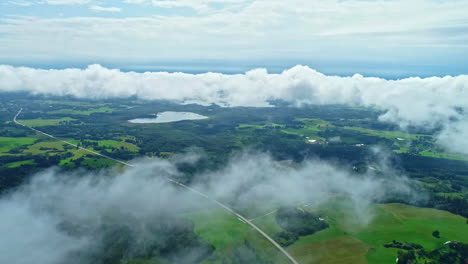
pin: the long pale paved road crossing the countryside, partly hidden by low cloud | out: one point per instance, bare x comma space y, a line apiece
243, 219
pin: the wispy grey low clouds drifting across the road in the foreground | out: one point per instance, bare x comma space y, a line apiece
34, 215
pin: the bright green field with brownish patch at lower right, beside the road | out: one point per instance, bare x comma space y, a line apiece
348, 240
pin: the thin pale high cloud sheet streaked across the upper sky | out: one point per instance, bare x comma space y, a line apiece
394, 30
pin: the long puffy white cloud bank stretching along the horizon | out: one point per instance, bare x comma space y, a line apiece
424, 102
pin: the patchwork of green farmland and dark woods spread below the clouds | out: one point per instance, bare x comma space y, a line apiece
332, 133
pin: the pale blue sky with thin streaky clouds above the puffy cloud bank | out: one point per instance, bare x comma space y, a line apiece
385, 38
